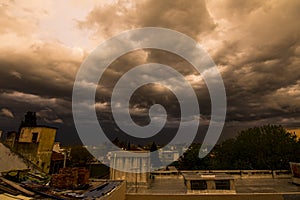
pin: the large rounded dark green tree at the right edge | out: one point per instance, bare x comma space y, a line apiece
267, 147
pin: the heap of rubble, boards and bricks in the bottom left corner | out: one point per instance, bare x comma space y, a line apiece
69, 184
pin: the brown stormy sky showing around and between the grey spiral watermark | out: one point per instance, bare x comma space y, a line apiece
255, 45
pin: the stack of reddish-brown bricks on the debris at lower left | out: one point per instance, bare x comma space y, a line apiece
69, 178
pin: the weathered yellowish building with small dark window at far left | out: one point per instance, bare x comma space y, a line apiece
35, 144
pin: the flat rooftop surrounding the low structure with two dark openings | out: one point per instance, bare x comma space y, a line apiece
174, 184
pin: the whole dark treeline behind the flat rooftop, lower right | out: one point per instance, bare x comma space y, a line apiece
268, 147
